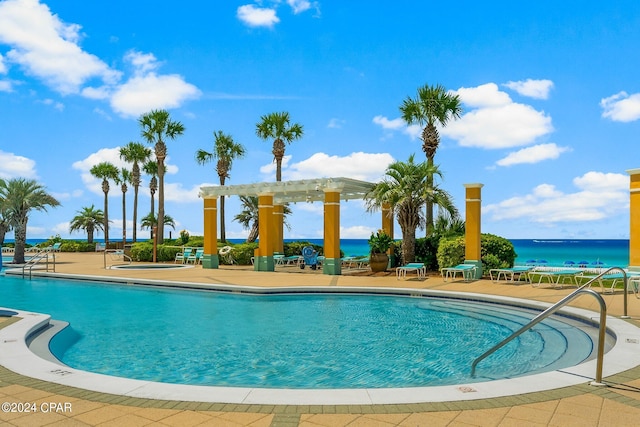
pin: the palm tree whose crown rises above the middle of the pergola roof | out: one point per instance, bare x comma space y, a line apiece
277, 126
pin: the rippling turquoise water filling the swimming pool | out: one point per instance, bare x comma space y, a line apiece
290, 341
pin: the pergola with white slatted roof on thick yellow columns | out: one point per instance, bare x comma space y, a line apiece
271, 199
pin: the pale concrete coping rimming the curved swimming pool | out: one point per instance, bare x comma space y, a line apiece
16, 356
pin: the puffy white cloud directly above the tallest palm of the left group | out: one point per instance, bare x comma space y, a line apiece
147, 90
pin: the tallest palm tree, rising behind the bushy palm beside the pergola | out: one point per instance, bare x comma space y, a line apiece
434, 105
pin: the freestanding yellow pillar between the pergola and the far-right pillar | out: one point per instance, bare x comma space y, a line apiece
473, 204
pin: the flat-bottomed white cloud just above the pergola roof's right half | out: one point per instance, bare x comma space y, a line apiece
362, 166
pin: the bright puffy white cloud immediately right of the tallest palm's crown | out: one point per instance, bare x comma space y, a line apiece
496, 121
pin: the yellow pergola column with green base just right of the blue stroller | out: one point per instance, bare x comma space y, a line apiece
332, 263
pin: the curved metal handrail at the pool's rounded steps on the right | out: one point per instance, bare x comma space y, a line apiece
557, 306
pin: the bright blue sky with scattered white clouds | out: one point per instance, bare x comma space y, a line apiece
550, 92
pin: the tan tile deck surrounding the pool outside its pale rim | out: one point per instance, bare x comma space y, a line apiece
580, 405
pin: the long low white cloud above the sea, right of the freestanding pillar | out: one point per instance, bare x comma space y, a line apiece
598, 196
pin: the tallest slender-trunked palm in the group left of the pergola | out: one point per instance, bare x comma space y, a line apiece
156, 127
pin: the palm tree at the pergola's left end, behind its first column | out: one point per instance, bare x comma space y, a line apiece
225, 150
